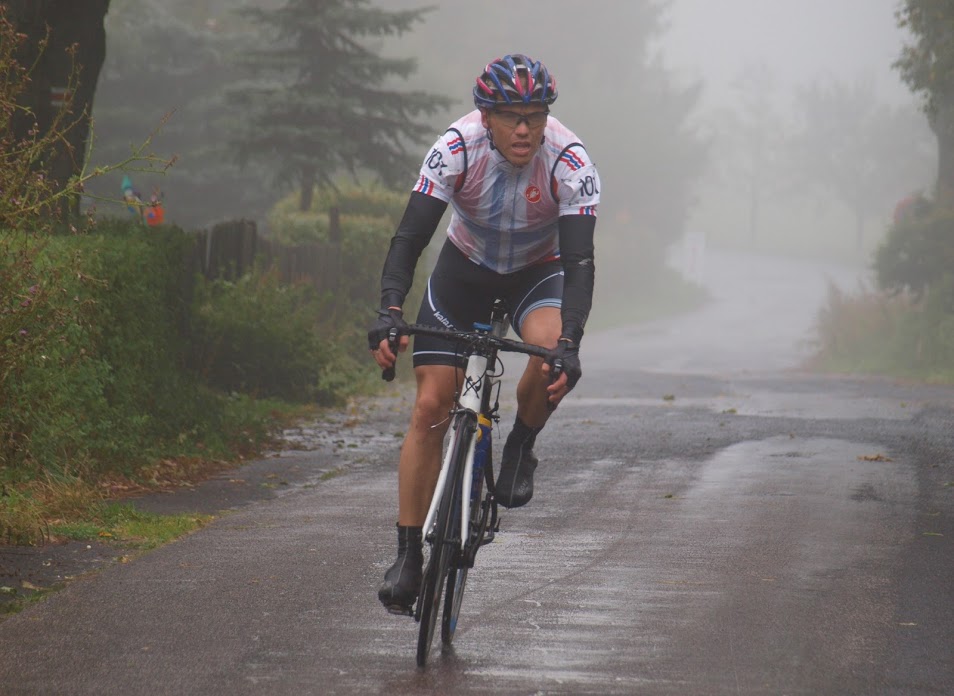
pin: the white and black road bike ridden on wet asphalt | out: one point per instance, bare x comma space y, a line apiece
459, 521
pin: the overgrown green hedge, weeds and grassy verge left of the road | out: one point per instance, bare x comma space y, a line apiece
121, 372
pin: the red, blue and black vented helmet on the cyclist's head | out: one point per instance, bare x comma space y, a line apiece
514, 79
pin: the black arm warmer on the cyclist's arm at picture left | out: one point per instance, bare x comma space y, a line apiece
421, 217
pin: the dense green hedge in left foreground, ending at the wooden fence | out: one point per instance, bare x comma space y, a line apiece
110, 387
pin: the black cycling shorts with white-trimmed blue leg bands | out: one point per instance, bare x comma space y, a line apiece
461, 293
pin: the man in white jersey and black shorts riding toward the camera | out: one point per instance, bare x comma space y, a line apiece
524, 195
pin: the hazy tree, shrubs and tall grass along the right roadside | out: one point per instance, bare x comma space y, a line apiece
905, 326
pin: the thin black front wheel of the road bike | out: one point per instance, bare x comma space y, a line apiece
441, 555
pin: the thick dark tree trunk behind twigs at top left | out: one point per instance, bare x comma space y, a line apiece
66, 23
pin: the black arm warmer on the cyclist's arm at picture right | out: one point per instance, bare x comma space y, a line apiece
579, 272
